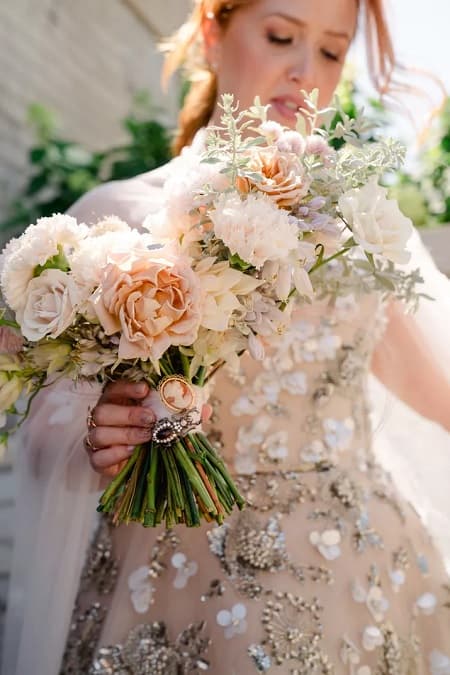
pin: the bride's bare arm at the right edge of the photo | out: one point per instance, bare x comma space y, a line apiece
403, 363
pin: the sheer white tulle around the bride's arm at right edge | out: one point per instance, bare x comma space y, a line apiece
414, 449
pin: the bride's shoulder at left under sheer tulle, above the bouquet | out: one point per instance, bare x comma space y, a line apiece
132, 199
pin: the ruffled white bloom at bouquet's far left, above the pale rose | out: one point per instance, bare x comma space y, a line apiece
34, 247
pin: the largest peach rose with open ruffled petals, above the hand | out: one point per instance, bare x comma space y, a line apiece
153, 302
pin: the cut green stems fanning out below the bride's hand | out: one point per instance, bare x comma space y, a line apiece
182, 482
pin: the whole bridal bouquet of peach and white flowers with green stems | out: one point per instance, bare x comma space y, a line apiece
246, 225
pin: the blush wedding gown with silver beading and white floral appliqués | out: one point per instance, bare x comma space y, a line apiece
327, 570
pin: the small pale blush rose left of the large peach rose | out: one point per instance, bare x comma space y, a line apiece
51, 303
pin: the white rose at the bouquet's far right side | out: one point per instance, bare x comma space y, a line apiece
377, 223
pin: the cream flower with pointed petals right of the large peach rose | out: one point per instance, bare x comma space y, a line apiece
221, 287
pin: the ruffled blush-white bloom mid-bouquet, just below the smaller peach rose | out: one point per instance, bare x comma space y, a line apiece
254, 228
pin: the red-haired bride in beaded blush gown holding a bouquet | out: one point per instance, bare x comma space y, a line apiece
328, 569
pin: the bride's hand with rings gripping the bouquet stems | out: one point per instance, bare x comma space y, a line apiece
118, 423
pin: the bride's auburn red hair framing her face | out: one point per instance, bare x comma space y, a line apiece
185, 50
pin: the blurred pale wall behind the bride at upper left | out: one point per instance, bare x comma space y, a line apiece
82, 59
